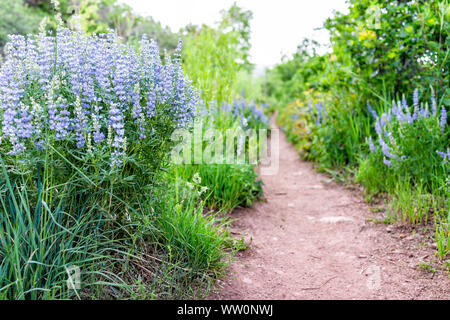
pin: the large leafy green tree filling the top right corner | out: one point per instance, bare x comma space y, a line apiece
398, 45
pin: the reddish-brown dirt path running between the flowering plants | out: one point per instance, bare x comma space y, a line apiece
313, 239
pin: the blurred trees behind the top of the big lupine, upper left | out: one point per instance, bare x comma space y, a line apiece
94, 16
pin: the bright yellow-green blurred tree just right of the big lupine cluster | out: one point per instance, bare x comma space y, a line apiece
214, 56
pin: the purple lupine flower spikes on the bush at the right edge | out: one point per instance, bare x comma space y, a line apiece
402, 113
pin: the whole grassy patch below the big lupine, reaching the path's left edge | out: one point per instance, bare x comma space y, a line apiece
161, 246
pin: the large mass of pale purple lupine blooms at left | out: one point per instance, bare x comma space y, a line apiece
90, 90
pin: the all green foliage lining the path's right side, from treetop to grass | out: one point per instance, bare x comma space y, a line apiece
379, 49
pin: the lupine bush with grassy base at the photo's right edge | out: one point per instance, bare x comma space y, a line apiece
409, 158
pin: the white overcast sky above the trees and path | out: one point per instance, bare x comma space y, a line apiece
278, 26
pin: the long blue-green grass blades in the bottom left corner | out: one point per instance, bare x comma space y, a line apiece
41, 239
